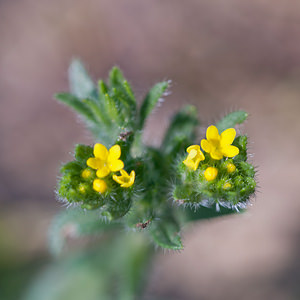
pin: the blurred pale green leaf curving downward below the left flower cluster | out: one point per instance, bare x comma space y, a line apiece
75, 223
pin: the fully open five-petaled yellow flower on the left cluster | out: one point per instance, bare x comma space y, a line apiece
105, 161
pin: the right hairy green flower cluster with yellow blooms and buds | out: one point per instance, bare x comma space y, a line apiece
220, 174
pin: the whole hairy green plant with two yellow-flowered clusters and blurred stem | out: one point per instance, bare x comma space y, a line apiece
133, 196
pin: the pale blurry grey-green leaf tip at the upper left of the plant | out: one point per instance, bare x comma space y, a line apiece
81, 85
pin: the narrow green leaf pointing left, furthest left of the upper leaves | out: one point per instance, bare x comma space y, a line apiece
76, 104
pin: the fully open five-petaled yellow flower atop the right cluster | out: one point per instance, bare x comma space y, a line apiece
219, 145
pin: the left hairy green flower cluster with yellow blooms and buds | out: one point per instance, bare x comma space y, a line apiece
95, 177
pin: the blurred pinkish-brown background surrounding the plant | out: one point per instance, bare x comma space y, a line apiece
220, 56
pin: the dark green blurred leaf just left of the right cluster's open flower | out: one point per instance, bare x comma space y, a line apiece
182, 131
